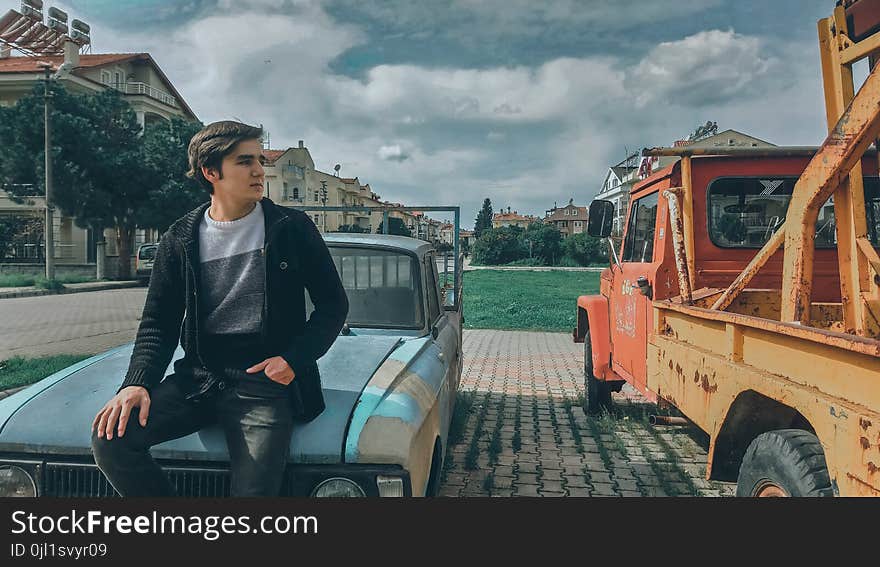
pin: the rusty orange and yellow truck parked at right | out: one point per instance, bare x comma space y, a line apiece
746, 293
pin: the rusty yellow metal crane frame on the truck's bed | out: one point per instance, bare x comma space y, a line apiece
854, 123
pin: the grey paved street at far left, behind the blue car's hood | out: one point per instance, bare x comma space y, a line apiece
82, 323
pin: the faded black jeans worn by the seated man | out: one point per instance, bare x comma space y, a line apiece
257, 432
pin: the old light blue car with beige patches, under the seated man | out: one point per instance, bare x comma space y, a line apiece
390, 383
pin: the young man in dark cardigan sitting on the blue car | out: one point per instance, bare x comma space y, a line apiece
233, 271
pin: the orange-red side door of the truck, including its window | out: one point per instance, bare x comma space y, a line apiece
630, 310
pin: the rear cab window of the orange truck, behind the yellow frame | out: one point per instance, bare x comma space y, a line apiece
745, 211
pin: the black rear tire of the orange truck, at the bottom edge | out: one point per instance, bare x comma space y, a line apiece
785, 462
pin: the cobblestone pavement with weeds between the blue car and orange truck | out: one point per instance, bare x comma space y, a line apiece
526, 435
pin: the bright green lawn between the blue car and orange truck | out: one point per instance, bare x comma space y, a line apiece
524, 300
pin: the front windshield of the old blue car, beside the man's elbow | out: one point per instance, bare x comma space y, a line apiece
382, 286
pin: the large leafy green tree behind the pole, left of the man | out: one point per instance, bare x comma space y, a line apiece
105, 174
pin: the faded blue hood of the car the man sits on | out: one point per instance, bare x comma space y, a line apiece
54, 416
